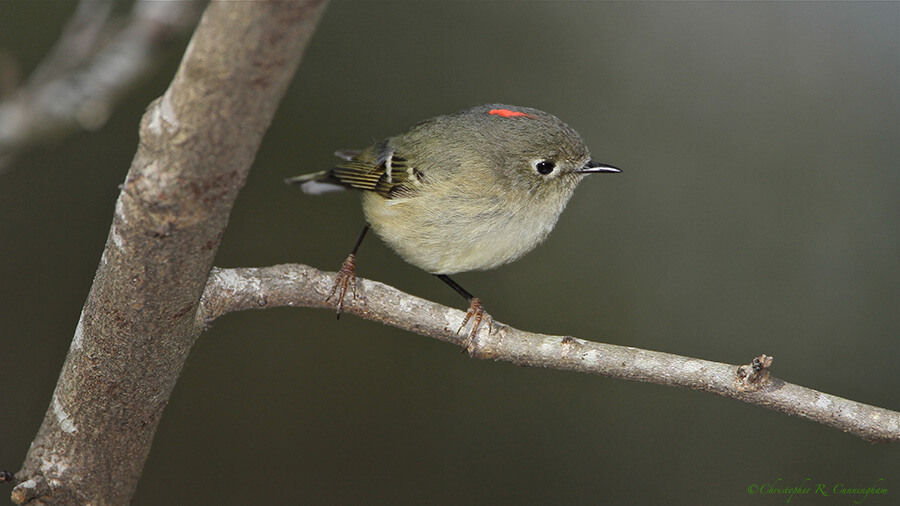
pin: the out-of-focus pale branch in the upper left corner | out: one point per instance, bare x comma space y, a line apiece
97, 60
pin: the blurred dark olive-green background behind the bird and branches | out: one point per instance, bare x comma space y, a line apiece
757, 213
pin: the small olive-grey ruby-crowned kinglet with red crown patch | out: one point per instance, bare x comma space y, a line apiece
462, 192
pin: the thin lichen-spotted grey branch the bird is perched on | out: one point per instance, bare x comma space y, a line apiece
300, 285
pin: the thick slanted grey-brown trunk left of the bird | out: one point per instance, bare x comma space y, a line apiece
138, 324
